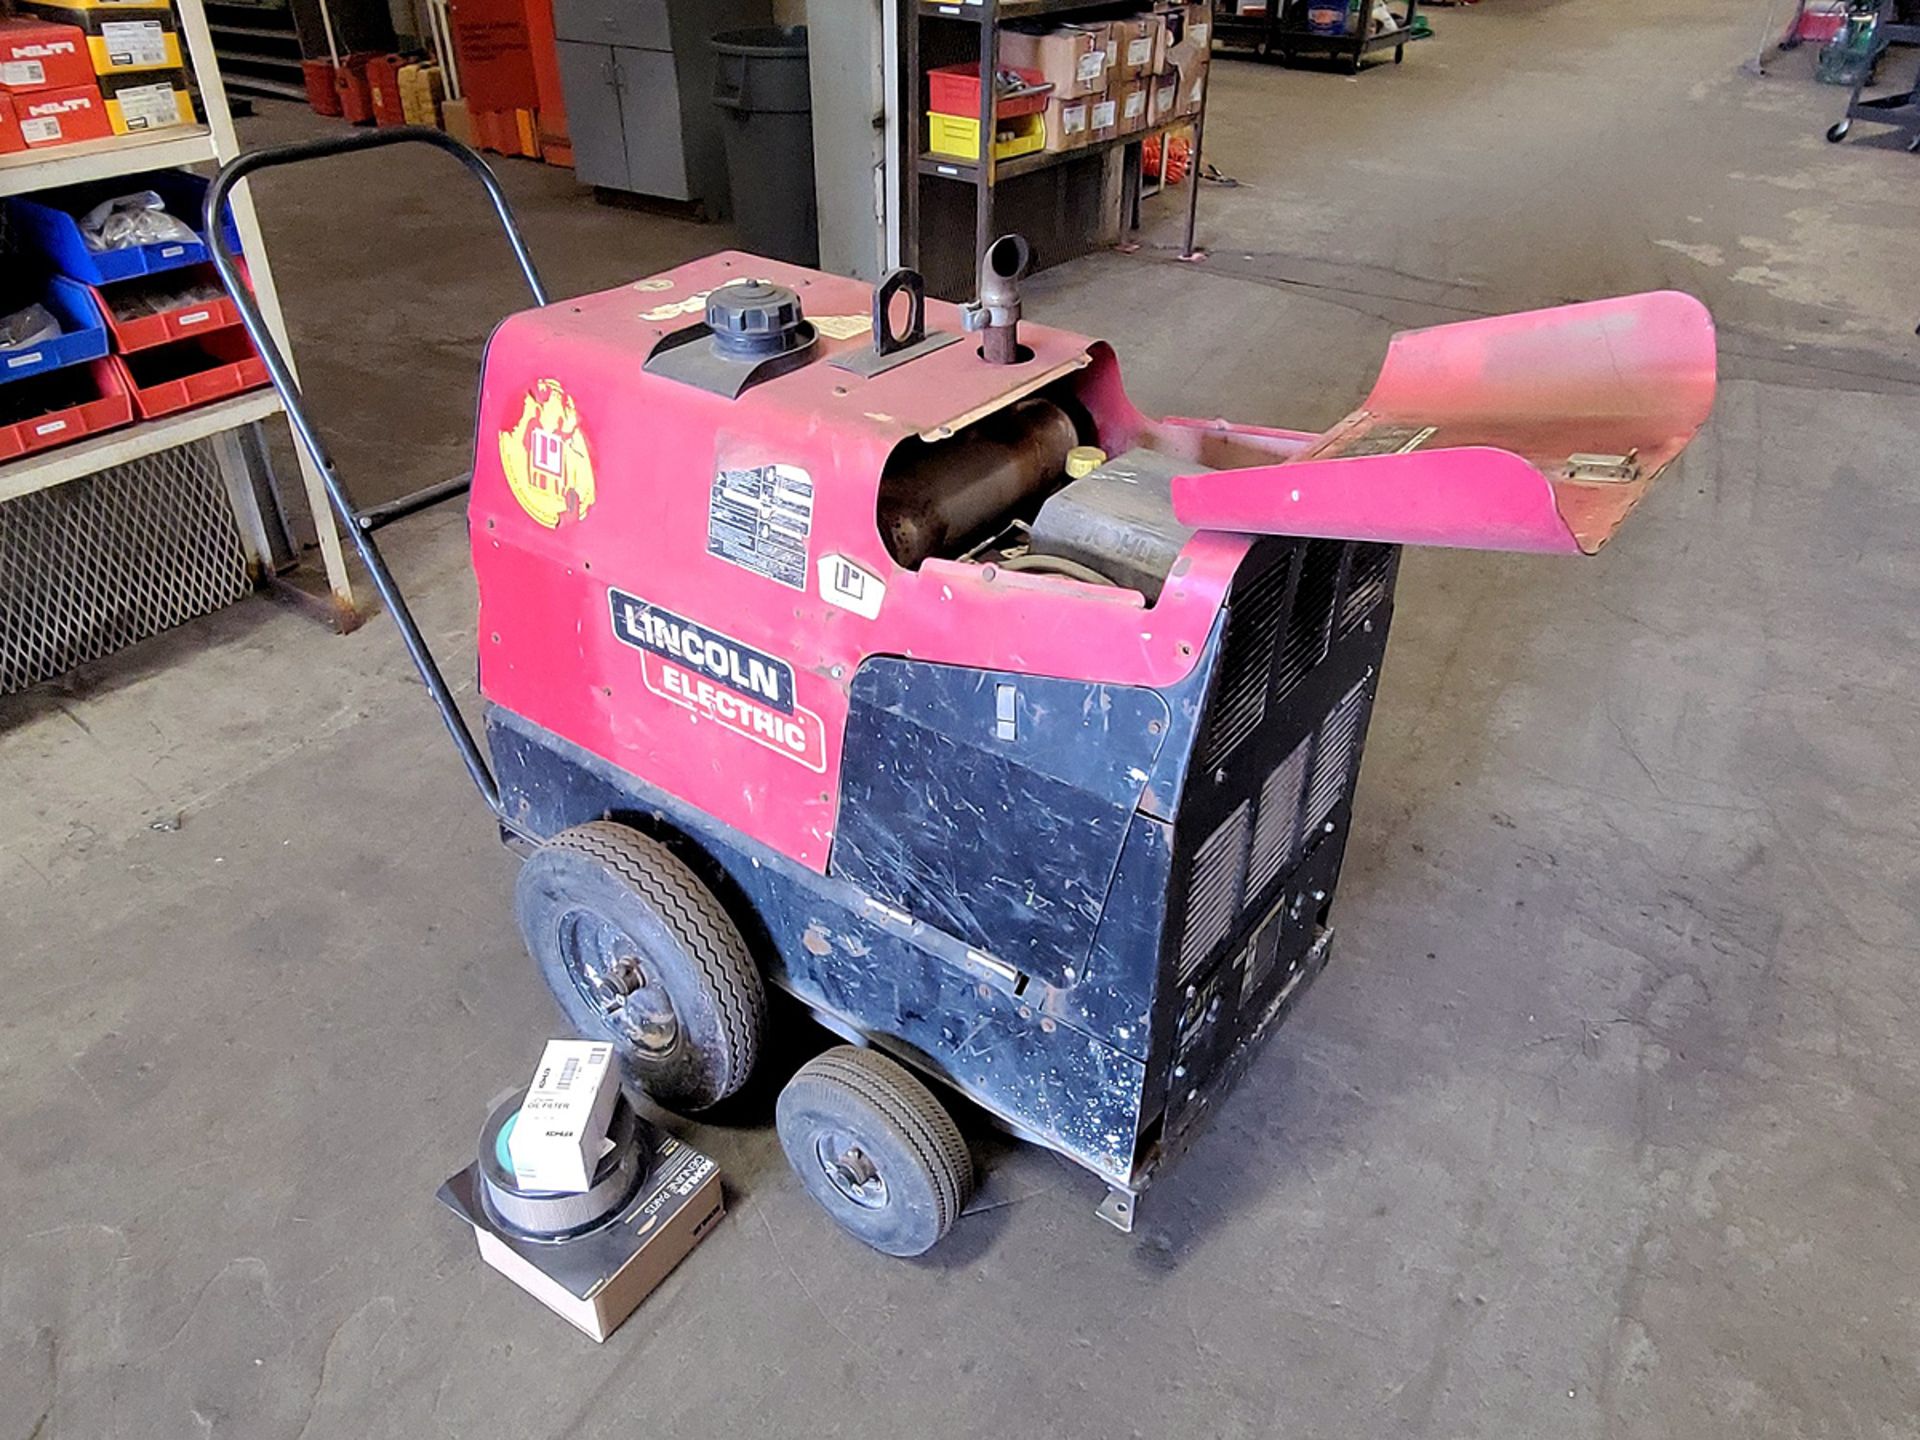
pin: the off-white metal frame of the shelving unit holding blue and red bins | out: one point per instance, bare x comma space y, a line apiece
228, 425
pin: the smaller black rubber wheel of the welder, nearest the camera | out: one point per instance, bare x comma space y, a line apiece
875, 1149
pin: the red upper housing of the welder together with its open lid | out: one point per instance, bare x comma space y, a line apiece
686, 585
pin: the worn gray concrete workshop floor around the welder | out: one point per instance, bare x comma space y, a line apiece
1604, 1122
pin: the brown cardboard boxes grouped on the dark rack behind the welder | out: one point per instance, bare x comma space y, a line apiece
1118, 78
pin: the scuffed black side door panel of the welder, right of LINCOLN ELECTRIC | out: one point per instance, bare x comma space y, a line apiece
994, 805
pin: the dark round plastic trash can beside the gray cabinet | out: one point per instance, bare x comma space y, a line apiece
769, 122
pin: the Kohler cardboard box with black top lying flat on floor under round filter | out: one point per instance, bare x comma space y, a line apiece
598, 1280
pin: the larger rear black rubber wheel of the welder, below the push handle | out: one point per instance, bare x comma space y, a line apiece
642, 953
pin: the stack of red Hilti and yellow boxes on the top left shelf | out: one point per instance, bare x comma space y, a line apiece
120, 66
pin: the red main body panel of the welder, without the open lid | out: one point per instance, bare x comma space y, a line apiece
596, 481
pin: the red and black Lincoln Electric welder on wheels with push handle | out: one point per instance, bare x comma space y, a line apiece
880, 650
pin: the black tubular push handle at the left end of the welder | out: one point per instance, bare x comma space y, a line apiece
297, 410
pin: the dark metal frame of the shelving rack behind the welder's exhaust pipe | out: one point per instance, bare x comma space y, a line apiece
988, 174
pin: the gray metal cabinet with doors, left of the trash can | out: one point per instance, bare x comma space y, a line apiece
638, 82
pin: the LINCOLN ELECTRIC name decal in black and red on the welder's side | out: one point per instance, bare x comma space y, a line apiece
719, 679
